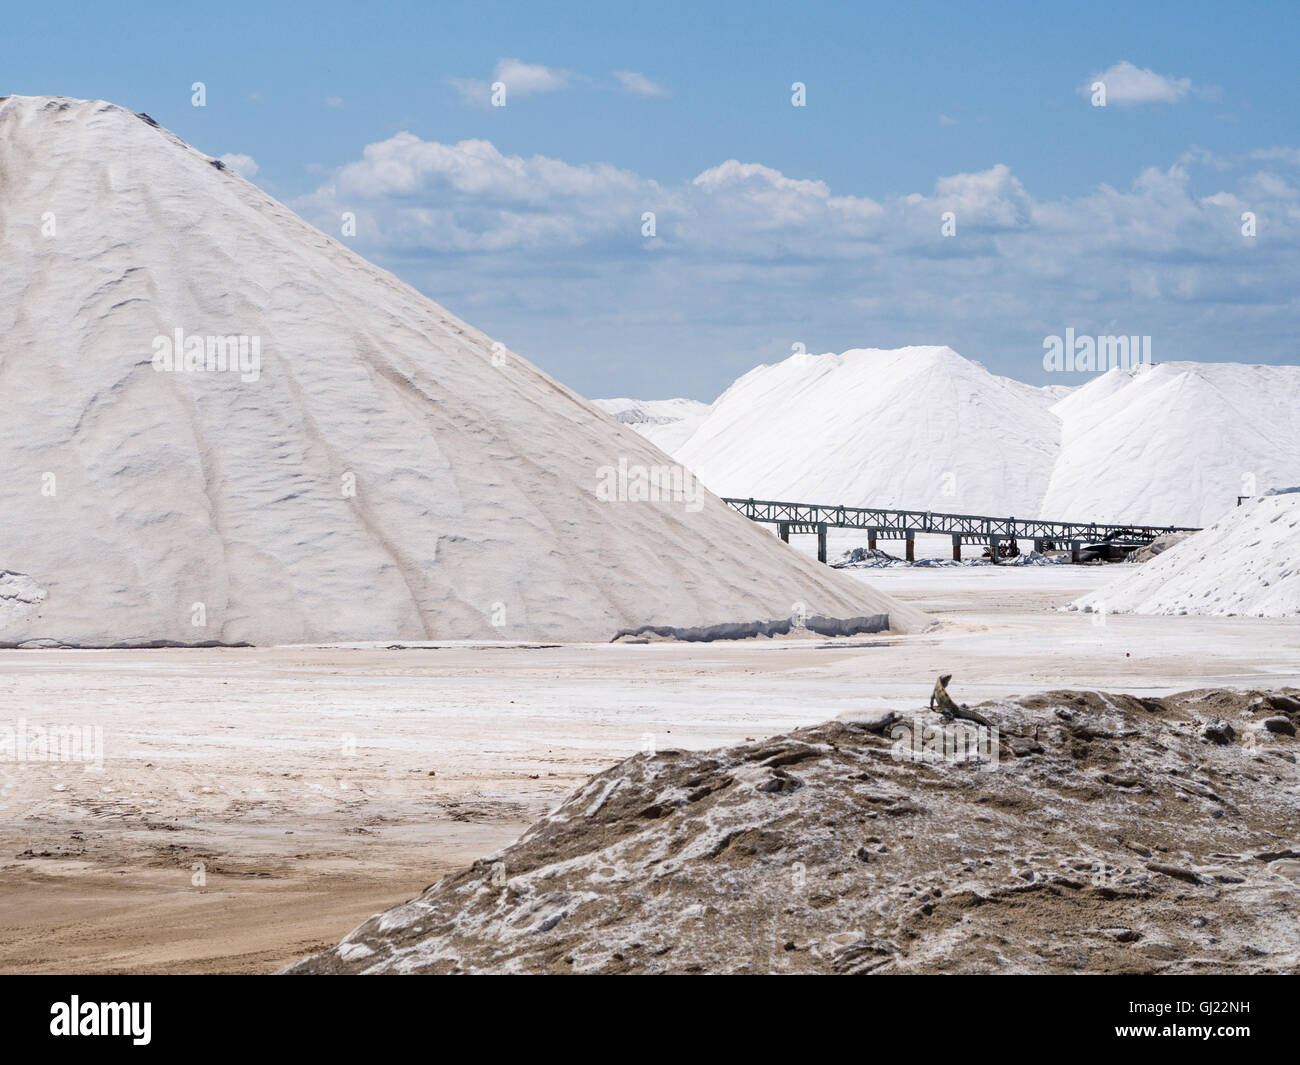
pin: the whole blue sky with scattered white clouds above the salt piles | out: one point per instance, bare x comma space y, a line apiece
774, 226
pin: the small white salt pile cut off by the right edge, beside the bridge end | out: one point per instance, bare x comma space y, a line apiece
1246, 565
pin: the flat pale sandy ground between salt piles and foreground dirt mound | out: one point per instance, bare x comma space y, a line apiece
255, 806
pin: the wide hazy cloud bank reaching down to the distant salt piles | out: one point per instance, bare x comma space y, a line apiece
551, 254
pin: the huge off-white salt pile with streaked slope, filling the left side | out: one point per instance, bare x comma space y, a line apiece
384, 474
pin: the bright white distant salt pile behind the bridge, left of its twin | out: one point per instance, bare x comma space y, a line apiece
920, 427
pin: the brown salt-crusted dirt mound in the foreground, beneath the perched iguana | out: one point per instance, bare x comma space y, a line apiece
1086, 833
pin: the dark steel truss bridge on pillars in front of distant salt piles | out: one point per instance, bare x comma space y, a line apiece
964, 529
